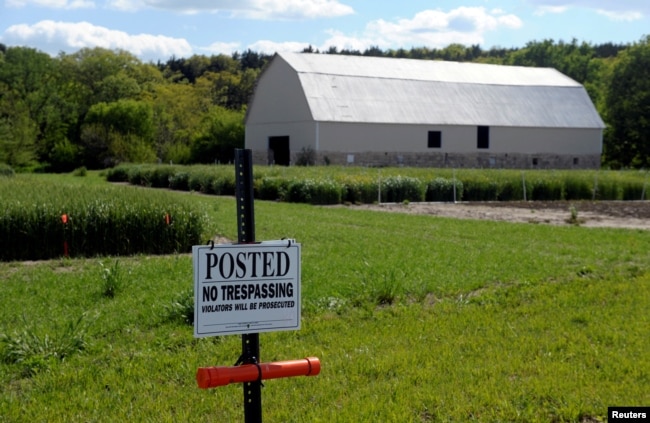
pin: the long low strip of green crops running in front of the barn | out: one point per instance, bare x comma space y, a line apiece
358, 185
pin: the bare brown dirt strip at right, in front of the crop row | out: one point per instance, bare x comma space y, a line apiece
611, 214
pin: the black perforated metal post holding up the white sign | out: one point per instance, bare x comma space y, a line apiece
246, 234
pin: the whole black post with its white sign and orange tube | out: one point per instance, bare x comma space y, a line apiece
247, 288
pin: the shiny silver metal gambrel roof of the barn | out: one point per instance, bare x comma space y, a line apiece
383, 90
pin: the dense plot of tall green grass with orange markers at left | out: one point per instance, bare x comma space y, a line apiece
40, 219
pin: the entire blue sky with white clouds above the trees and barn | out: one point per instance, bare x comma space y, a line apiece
158, 29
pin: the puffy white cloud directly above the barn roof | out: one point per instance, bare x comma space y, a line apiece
432, 28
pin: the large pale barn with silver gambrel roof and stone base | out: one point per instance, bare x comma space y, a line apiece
371, 111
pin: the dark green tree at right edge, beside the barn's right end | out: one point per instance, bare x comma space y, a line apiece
627, 140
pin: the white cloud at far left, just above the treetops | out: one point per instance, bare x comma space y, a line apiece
53, 37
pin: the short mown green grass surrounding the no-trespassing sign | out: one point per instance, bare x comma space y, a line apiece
414, 318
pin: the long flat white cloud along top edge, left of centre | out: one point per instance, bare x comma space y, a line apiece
249, 9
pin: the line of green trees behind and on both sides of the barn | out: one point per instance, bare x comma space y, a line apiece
98, 107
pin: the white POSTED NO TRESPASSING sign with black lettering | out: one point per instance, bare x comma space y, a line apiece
246, 288
